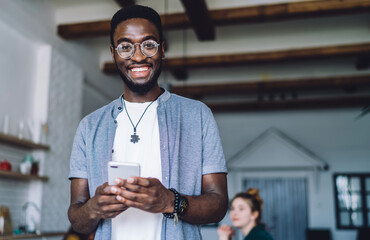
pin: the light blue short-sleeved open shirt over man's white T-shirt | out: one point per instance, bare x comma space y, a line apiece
190, 148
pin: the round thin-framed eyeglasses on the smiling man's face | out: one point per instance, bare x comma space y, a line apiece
148, 48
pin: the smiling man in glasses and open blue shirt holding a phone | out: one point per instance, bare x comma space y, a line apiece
175, 140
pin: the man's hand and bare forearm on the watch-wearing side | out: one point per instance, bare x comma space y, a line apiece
150, 195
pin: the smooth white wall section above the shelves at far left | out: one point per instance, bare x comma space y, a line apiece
16, 86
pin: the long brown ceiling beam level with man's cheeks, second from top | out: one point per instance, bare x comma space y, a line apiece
259, 57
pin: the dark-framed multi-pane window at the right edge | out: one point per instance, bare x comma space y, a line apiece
352, 200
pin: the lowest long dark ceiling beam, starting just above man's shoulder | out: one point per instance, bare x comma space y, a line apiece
304, 104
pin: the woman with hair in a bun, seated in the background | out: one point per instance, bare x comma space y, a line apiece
245, 214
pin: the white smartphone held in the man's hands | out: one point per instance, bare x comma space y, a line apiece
122, 170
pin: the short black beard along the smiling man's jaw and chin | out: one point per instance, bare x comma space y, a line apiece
141, 89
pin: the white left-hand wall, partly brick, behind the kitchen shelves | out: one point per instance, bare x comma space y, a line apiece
41, 78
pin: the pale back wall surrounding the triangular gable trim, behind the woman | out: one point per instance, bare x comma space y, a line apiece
336, 136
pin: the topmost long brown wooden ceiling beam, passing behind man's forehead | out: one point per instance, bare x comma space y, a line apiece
222, 17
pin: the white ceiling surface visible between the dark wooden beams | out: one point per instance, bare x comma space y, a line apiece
229, 39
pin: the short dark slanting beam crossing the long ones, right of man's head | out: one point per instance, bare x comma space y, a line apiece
200, 19
